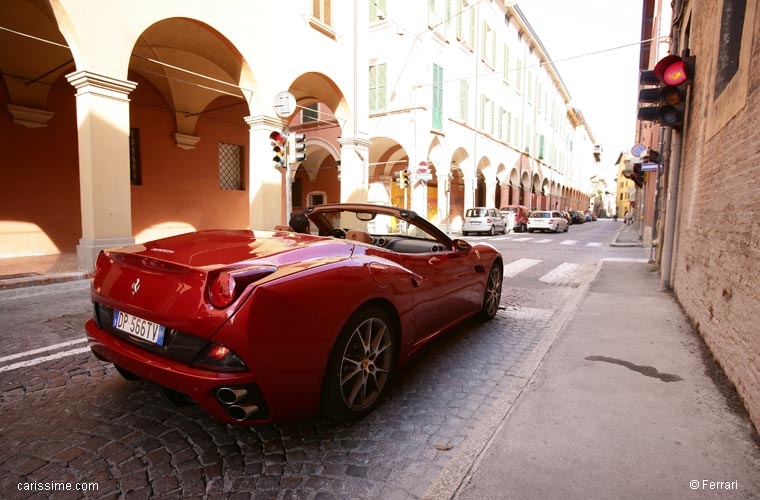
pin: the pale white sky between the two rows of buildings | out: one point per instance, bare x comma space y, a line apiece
604, 86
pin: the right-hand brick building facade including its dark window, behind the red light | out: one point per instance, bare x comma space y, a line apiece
710, 204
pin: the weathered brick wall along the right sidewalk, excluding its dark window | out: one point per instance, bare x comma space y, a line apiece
716, 274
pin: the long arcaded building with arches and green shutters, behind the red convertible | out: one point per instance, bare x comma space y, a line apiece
124, 122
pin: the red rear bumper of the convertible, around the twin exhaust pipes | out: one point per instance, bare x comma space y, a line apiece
200, 385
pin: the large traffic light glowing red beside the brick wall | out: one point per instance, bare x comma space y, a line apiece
672, 74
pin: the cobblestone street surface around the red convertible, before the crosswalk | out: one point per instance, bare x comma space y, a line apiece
75, 419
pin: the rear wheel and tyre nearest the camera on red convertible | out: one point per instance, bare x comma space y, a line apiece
358, 374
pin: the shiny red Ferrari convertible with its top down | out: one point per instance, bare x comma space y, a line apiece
263, 326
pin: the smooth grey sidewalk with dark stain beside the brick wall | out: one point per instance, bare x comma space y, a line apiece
627, 404
